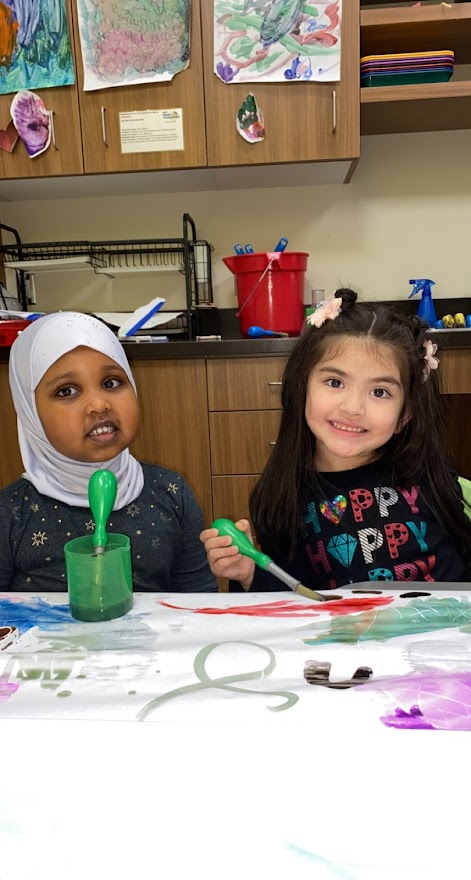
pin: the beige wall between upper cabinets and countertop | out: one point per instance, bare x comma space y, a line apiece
406, 214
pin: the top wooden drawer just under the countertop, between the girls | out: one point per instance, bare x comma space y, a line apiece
248, 383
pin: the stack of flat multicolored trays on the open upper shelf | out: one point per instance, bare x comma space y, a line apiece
406, 68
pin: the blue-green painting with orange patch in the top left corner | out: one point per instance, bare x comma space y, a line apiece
35, 50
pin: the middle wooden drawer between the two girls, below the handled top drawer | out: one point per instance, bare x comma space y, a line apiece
242, 441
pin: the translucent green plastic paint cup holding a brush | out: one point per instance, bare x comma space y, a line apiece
100, 587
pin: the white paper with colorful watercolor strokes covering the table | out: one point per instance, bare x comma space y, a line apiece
243, 657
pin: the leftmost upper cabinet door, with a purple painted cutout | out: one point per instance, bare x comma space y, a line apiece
64, 154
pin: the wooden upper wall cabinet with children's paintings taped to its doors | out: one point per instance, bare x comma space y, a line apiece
306, 122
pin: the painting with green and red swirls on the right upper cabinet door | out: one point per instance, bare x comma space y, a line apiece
277, 40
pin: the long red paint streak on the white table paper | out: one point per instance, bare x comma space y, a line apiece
287, 608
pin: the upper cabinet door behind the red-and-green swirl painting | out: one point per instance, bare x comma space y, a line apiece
304, 121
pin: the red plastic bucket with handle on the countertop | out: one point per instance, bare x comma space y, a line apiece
278, 301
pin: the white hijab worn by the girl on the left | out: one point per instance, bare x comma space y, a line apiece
33, 352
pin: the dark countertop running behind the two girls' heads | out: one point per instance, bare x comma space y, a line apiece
238, 347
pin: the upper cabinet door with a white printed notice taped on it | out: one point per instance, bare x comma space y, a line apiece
100, 109
